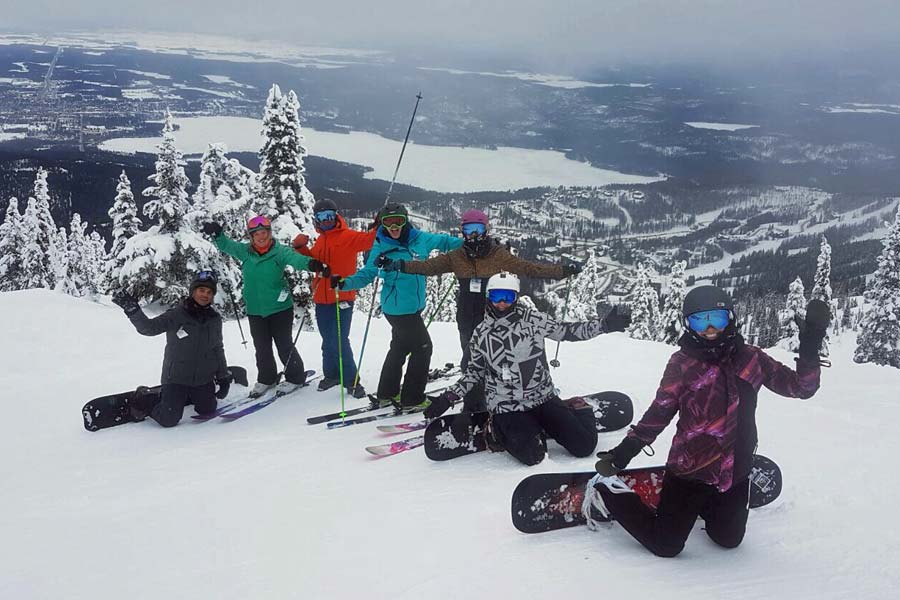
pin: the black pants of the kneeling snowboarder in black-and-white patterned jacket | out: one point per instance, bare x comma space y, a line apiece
523, 434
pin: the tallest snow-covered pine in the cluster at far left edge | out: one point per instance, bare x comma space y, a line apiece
42, 259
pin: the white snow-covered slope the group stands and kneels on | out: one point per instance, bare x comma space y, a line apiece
269, 507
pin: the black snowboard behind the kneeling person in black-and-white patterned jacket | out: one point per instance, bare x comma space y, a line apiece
612, 411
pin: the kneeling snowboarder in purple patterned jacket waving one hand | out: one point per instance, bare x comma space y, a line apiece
712, 383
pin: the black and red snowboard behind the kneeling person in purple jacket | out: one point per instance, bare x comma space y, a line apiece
551, 501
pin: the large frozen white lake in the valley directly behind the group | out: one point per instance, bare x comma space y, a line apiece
440, 168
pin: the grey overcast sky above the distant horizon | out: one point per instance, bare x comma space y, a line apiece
577, 32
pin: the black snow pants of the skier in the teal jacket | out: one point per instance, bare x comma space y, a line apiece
409, 337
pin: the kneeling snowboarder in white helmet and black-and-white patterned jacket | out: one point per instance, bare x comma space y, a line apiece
508, 356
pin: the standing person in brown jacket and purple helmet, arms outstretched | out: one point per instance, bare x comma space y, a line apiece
480, 257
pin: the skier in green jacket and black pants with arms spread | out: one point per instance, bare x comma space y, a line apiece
270, 307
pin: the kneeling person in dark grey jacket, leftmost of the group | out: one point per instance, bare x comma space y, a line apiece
194, 367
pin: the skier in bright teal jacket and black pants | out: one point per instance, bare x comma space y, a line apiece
402, 302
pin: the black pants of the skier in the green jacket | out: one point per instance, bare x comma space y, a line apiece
276, 328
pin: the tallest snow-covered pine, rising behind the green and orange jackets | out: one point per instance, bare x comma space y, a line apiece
283, 195
